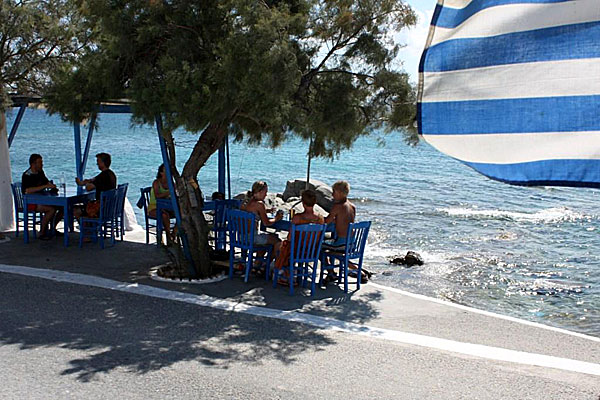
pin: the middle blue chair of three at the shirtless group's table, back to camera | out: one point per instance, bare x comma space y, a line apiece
305, 247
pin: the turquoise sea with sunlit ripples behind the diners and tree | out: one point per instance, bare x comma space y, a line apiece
531, 253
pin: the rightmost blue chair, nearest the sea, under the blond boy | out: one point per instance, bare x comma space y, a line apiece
353, 250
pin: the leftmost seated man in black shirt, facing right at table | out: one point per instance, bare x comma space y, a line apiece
34, 180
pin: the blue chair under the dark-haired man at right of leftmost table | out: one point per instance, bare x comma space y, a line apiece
99, 227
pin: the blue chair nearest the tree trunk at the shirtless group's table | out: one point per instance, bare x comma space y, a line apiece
242, 227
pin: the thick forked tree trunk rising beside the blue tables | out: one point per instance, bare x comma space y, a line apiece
189, 195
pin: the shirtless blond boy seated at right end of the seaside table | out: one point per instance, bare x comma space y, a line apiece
342, 213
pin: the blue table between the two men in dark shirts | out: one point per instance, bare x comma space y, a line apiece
64, 200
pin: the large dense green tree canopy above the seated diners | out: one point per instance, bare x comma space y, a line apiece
266, 69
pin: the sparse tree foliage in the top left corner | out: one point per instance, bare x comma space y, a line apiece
35, 38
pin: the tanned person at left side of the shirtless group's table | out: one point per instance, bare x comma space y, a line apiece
254, 203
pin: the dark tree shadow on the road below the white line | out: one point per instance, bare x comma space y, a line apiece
141, 334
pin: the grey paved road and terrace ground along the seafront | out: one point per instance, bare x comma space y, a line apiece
63, 340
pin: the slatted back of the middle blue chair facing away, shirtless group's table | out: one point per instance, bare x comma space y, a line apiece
306, 241
